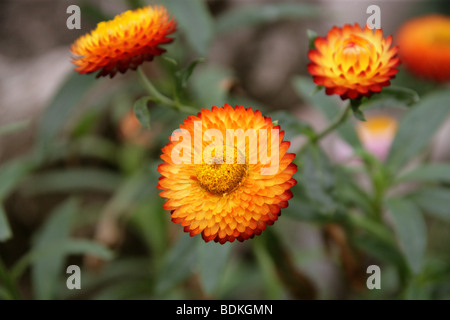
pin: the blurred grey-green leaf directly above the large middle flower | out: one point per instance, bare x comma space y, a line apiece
208, 86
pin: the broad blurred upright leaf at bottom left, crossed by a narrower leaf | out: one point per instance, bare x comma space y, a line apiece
45, 272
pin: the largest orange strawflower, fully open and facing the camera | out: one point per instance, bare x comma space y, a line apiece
223, 188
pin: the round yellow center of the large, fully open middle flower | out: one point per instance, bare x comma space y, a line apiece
222, 174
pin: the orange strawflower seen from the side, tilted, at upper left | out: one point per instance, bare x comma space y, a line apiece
124, 42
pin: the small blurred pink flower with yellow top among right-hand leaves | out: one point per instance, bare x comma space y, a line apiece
377, 133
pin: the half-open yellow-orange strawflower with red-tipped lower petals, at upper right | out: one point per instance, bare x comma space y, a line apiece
353, 62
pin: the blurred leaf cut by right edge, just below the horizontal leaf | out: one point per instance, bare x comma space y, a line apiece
434, 200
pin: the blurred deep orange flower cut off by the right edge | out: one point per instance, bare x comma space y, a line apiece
424, 46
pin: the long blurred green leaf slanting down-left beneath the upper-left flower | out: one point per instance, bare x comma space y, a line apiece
65, 102
